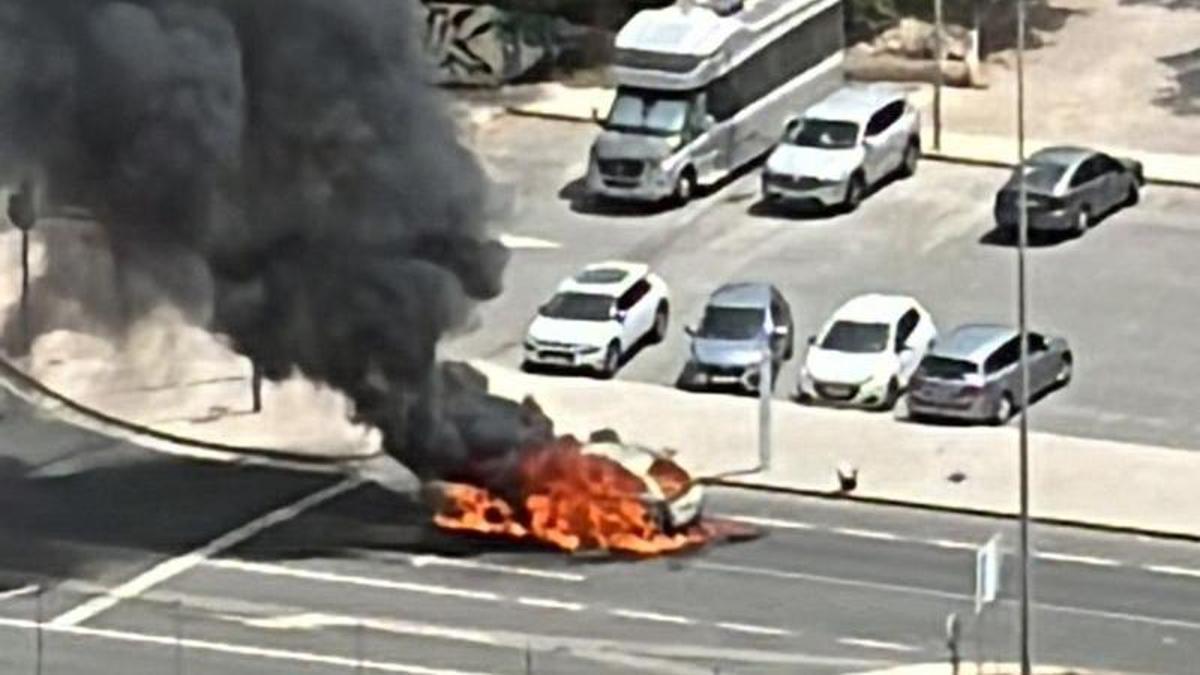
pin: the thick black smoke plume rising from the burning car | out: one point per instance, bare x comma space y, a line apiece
280, 170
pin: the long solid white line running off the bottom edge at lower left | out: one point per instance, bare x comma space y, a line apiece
236, 649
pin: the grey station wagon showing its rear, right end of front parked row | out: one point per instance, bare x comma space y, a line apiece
976, 374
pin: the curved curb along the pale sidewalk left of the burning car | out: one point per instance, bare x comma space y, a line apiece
31, 390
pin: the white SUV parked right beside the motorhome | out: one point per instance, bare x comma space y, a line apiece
842, 147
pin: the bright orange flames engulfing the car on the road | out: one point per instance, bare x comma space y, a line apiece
574, 501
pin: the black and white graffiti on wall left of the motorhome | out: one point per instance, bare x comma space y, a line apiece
483, 45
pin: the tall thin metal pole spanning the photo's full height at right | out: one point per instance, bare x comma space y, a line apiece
1022, 315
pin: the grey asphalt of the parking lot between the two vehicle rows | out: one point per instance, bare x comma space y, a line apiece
1123, 295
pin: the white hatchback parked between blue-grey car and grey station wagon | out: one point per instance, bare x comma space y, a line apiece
867, 353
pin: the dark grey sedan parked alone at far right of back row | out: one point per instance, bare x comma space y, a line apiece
1069, 189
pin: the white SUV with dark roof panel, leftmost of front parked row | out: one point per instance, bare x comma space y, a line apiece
598, 316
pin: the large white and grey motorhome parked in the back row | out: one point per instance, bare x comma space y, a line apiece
706, 87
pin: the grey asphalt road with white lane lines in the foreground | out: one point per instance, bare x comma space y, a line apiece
265, 571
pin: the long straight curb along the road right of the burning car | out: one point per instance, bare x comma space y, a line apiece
836, 497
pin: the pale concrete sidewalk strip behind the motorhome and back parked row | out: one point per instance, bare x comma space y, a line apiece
998, 148
